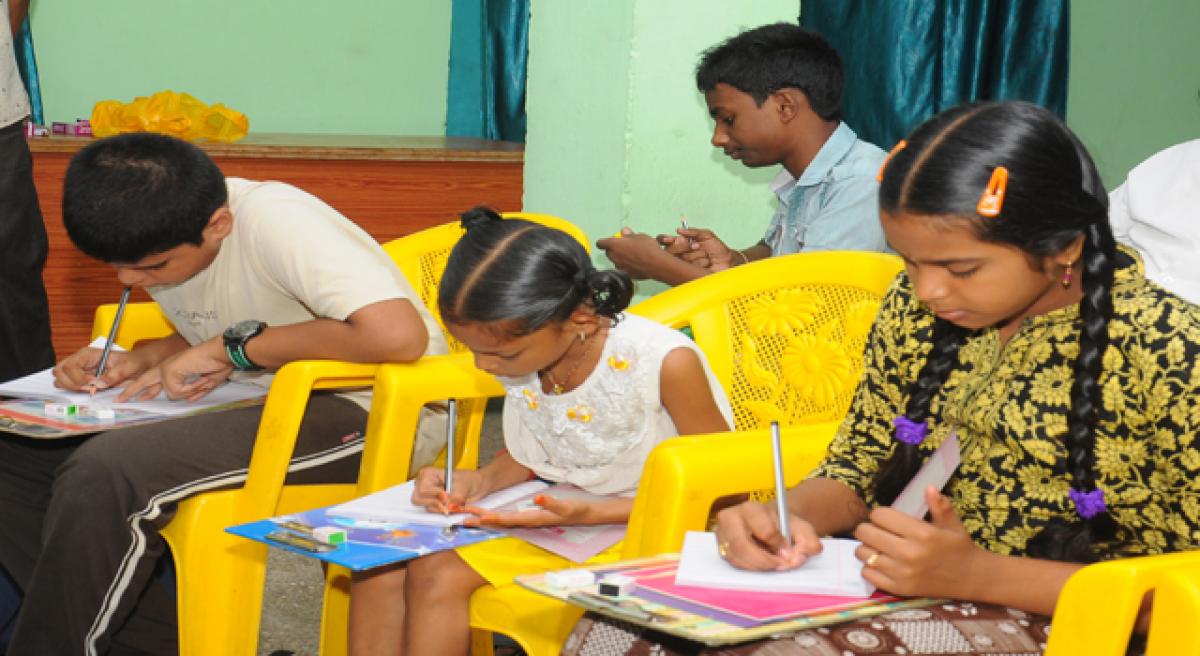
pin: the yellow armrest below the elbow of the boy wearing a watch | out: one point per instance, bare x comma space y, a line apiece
283, 416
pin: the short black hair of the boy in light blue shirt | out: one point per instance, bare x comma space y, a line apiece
782, 56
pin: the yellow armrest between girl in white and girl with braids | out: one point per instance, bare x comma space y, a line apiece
685, 476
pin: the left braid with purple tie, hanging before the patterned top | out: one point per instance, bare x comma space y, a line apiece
907, 460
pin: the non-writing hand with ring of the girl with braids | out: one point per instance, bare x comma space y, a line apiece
919, 558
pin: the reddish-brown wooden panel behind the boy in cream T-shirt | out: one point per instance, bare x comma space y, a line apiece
388, 192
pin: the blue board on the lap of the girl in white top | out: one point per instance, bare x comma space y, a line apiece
368, 545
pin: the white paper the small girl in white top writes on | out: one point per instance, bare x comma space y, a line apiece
395, 505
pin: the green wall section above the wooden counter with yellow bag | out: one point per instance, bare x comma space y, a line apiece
350, 68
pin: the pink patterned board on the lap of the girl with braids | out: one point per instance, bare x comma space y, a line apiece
709, 616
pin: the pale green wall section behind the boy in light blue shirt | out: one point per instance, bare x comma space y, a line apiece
619, 135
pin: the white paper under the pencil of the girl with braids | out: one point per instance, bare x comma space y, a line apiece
835, 571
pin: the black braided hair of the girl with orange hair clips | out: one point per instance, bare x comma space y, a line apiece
1054, 196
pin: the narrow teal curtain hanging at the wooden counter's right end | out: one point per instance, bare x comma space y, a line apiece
489, 55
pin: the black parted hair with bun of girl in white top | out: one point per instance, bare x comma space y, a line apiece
525, 276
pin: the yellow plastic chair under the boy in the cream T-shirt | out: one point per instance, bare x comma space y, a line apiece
220, 577
